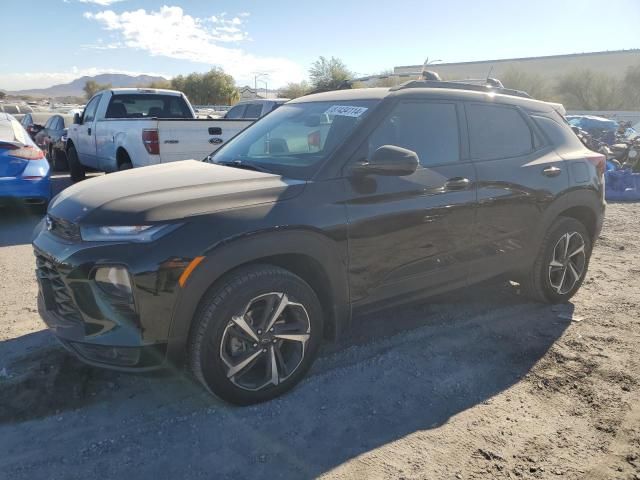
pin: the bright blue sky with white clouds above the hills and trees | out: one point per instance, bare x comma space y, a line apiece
43, 42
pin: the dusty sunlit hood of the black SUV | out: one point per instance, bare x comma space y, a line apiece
168, 192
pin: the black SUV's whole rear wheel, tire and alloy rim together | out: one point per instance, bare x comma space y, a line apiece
562, 262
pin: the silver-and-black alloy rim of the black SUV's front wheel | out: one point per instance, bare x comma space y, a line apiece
266, 342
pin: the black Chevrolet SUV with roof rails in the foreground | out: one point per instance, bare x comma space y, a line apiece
338, 202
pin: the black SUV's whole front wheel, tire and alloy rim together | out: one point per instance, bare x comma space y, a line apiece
255, 335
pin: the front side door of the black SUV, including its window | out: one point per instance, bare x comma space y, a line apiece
410, 235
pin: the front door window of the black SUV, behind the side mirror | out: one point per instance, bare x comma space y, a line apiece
429, 129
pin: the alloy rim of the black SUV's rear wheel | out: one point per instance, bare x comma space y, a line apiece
568, 263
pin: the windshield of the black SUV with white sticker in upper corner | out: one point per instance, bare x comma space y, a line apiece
294, 140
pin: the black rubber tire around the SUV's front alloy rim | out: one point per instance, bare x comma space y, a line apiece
228, 298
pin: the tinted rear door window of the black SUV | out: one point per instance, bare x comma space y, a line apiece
497, 132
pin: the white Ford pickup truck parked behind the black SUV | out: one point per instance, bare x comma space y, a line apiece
125, 128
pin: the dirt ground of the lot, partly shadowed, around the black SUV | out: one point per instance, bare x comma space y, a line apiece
477, 384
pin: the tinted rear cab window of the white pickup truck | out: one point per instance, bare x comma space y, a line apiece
147, 105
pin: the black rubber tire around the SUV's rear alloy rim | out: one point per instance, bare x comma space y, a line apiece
538, 283
